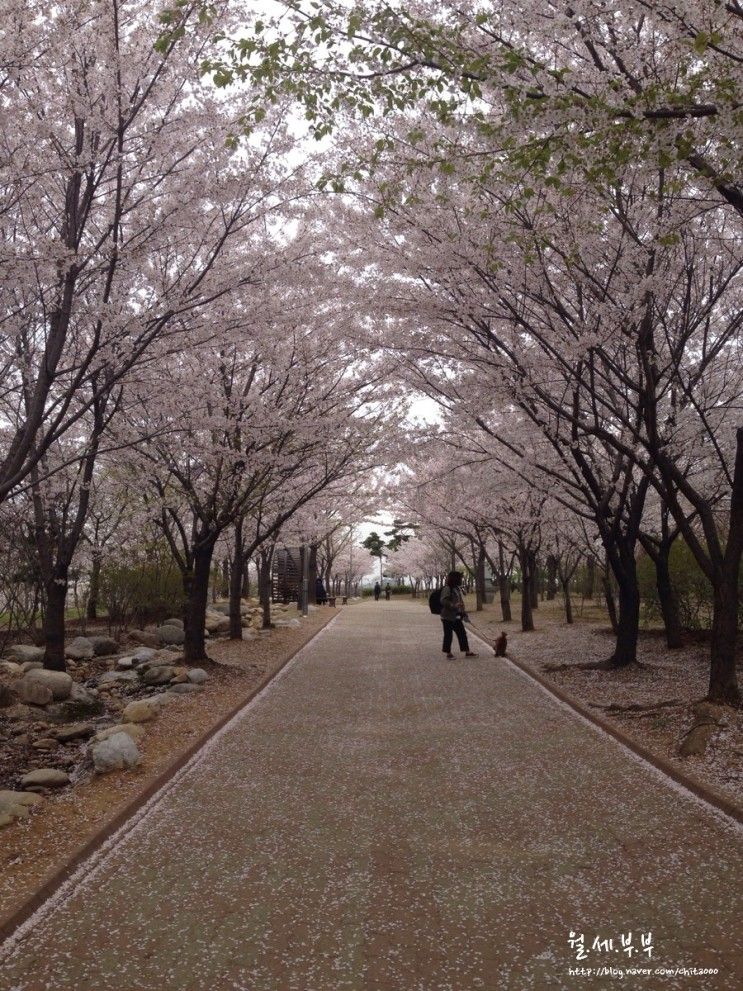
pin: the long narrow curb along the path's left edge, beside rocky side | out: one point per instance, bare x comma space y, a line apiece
51, 885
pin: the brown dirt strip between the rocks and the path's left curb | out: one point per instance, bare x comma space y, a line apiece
34, 848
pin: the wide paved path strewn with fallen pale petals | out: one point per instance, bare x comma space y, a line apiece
383, 819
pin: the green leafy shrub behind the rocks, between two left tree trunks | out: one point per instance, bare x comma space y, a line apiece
142, 591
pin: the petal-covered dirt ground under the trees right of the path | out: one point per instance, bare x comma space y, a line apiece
655, 703
